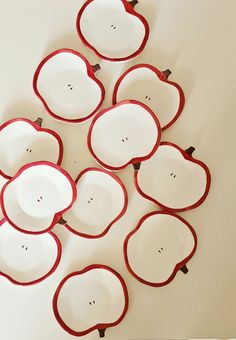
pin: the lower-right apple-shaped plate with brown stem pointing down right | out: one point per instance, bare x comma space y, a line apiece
160, 246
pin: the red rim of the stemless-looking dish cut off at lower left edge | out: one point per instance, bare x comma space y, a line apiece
51, 271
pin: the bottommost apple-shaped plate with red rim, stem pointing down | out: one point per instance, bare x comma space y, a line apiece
94, 298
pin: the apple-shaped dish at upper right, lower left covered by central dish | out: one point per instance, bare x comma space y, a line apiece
151, 86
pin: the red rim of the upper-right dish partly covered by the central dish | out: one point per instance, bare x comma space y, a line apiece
163, 78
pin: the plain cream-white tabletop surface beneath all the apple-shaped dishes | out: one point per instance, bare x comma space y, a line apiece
196, 40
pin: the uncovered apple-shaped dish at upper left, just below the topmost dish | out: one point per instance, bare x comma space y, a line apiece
65, 83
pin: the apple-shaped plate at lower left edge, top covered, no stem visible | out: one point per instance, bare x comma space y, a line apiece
27, 259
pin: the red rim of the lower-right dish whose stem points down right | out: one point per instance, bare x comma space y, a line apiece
178, 265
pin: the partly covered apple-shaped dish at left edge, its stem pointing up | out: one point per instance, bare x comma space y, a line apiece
23, 141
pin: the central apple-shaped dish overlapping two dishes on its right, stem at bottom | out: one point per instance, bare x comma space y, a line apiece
126, 133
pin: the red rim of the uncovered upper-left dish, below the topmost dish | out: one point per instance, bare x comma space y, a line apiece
90, 73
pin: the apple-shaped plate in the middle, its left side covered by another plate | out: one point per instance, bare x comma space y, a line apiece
101, 201
